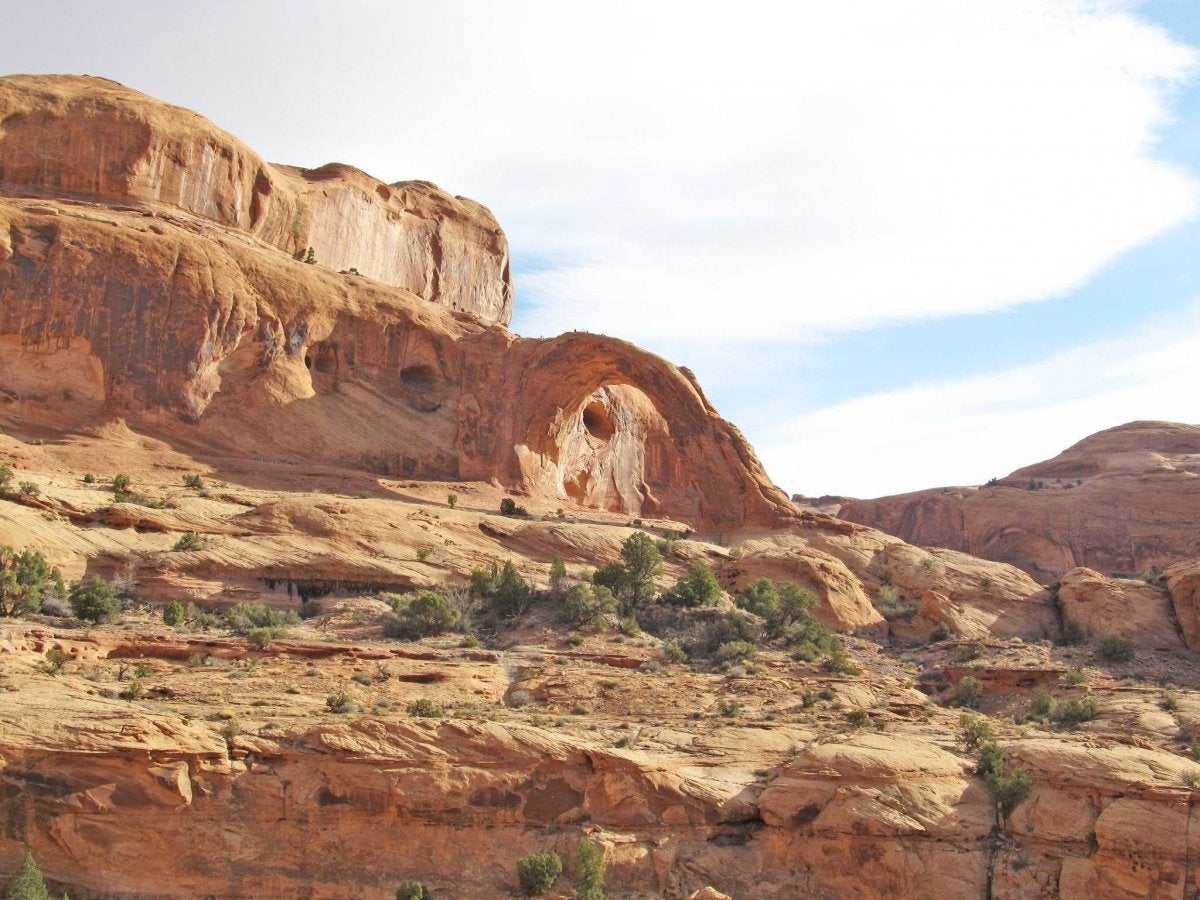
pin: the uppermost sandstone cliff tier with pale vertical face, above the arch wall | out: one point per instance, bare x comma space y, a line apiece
89, 139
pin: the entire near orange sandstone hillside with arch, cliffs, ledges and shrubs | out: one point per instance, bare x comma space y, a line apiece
331, 584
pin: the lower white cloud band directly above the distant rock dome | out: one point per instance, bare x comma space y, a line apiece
965, 433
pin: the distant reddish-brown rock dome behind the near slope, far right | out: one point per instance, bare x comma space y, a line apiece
1121, 501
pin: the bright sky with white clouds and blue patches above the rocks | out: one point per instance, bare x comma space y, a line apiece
903, 245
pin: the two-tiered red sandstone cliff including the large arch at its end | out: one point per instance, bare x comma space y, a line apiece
154, 278
